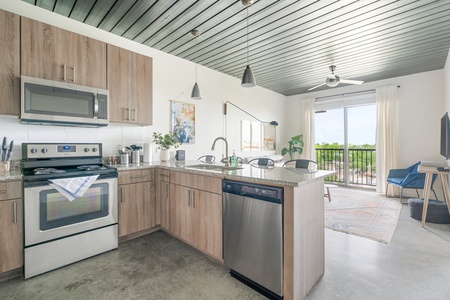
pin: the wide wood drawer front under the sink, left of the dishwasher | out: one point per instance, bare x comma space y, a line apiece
200, 182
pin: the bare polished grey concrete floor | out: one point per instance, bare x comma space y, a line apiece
415, 265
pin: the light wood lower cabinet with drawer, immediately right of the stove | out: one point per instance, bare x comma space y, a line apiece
137, 201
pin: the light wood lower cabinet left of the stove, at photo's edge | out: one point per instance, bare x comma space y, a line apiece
11, 226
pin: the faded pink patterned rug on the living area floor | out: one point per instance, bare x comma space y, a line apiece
362, 213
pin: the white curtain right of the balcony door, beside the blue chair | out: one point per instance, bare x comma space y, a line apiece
387, 133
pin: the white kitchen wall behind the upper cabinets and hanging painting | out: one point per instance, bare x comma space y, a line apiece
173, 79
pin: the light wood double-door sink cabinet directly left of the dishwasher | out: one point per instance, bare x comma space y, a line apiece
196, 215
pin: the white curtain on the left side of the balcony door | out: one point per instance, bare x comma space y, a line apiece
307, 127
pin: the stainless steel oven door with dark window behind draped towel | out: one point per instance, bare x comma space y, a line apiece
48, 215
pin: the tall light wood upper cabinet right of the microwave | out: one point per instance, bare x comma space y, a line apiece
130, 85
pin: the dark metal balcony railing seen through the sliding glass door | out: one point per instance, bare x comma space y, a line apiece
361, 165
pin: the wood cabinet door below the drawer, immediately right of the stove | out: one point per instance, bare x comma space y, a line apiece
136, 207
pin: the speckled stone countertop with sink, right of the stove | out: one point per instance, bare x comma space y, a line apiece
275, 175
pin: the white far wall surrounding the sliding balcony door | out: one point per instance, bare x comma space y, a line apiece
421, 102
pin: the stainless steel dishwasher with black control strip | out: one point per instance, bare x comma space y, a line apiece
253, 235
